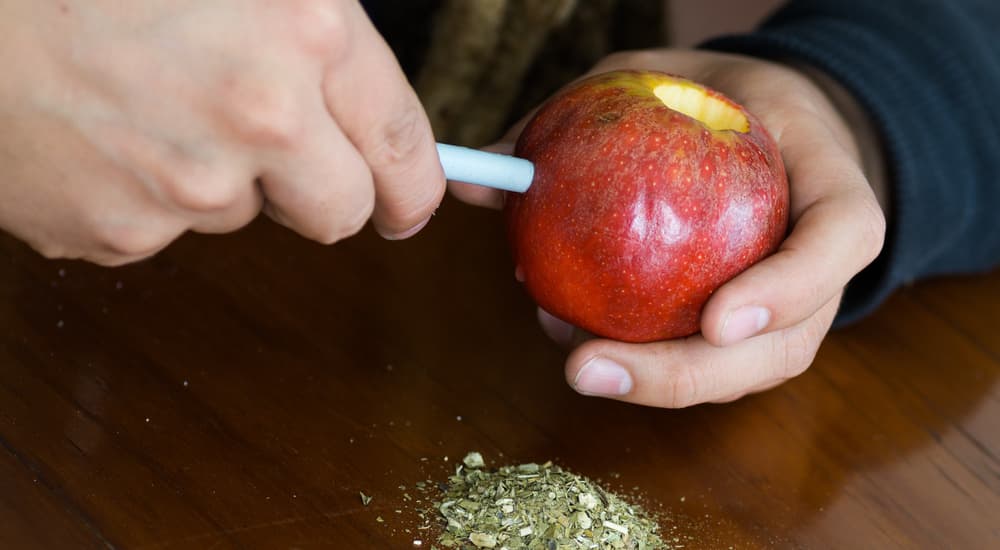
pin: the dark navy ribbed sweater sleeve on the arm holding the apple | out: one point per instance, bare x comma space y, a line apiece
928, 72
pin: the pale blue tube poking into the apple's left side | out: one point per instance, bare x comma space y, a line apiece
484, 168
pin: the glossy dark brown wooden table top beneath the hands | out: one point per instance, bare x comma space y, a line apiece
239, 391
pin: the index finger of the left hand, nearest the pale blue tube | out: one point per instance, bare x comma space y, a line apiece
368, 96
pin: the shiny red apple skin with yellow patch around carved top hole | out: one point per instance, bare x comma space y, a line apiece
638, 212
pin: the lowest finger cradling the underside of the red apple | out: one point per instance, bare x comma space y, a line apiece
682, 373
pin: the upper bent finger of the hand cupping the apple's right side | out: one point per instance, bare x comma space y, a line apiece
838, 230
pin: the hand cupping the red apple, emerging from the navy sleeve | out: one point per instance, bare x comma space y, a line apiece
764, 326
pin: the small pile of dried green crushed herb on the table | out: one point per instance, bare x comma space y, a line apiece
537, 506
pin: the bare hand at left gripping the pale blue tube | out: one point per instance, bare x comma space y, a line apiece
126, 124
